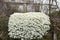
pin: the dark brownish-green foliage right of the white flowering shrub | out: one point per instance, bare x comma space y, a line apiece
55, 23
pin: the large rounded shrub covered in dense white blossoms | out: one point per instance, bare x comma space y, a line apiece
28, 25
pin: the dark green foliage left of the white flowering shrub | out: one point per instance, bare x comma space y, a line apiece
3, 27
